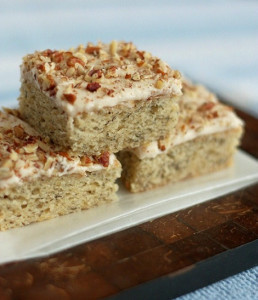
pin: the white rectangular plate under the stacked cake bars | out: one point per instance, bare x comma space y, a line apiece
48, 237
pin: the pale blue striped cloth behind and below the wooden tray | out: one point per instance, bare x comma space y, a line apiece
213, 42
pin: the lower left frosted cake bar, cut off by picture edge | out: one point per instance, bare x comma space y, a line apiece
38, 181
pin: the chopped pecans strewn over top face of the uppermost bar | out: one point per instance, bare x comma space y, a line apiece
87, 67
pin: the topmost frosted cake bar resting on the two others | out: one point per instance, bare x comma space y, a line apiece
99, 98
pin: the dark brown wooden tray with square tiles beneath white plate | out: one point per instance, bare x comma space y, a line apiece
142, 257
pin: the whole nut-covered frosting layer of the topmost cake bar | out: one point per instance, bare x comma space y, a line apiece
81, 79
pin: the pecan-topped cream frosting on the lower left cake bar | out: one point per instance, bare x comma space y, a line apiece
24, 156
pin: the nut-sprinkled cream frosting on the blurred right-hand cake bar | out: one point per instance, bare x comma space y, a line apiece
200, 113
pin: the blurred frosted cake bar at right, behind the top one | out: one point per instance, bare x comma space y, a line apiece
203, 141
